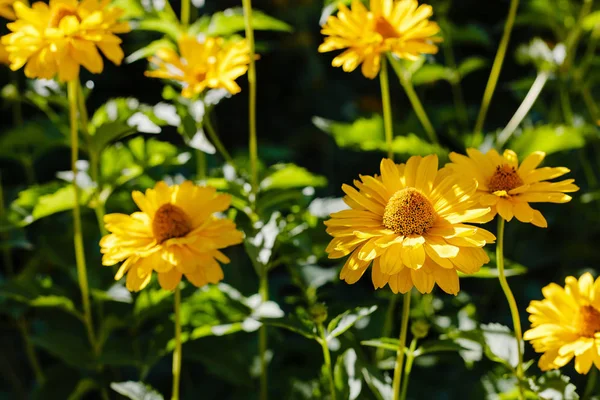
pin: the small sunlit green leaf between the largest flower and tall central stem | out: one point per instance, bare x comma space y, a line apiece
286, 176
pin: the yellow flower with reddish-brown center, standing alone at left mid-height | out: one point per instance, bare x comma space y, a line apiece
175, 233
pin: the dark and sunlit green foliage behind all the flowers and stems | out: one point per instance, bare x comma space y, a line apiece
318, 128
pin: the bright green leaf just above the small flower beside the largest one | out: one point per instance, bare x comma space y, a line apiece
550, 139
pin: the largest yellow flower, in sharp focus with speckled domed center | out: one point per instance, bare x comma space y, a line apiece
409, 222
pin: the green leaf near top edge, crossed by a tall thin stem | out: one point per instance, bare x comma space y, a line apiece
230, 21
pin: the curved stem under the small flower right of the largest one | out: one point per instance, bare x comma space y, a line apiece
514, 310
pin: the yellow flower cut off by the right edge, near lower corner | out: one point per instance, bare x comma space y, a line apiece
566, 324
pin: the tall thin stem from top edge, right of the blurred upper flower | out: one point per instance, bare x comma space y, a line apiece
247, 4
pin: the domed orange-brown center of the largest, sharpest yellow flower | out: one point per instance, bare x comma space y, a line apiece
409, 212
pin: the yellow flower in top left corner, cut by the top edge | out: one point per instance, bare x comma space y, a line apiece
60, 37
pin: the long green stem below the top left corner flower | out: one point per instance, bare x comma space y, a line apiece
73, 87
